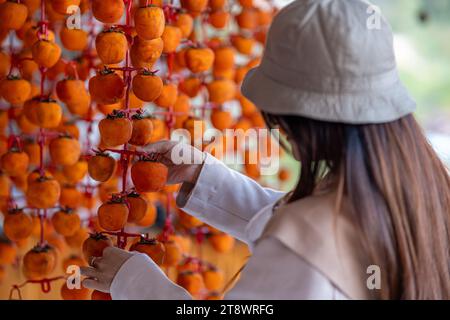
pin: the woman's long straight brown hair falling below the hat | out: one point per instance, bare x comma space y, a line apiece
397, 191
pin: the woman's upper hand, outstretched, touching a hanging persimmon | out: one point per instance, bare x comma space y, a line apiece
184, 161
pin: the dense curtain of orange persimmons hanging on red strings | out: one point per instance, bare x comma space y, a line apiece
202, 50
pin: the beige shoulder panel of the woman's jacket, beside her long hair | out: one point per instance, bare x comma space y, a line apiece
316, 229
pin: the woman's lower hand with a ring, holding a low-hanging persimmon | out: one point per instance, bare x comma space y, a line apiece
103, 269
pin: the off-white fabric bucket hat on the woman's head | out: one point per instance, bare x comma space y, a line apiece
323, 61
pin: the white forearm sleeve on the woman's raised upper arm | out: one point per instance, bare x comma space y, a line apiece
225, 198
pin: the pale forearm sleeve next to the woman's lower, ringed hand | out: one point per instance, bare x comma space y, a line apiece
140, 278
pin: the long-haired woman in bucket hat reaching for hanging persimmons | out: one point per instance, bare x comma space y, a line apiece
370, 216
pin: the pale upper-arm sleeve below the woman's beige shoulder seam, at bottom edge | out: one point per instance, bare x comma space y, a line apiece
276, 273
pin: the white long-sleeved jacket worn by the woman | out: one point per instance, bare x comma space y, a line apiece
278, 267
